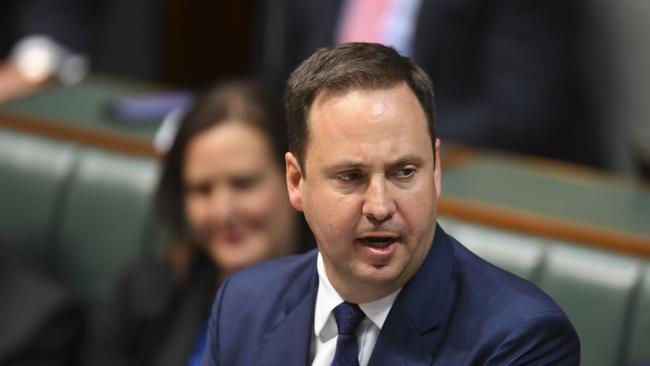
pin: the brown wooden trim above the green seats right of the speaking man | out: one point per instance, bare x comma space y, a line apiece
536, 224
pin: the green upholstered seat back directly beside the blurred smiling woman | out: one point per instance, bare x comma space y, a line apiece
106, 221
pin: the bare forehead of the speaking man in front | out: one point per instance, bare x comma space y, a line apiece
361, 122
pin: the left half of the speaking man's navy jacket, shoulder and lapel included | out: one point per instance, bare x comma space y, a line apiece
263, 315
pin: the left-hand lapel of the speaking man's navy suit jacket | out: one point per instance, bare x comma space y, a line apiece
288, 341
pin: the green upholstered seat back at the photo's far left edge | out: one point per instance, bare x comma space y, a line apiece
34, 173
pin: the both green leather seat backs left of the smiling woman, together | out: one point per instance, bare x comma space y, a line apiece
83, 213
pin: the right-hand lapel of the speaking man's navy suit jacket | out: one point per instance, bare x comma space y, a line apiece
413, 330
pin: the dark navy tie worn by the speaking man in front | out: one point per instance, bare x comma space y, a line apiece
348, 316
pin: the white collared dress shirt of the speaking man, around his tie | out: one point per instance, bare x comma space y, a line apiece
323, 340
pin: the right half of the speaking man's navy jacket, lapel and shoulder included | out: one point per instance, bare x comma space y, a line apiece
460, 309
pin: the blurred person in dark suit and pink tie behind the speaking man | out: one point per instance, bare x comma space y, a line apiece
506, 71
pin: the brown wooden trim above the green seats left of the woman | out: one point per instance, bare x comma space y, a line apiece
62, 131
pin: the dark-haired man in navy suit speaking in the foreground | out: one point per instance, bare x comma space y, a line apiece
387, 285
